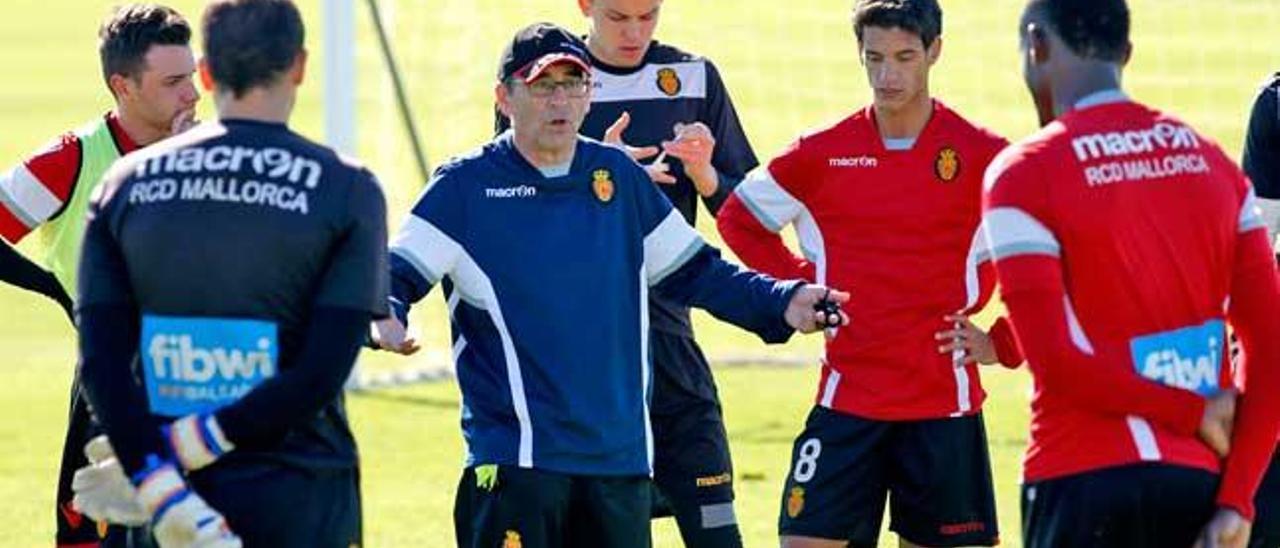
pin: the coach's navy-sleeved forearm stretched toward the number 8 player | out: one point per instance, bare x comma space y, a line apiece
742, 298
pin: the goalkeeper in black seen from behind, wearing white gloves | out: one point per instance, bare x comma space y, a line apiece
227, 285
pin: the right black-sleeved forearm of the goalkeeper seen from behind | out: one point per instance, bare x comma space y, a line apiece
319, 372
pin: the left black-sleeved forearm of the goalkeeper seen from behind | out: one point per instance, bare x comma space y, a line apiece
108, 344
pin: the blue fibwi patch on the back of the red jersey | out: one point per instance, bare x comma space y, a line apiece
1190, 358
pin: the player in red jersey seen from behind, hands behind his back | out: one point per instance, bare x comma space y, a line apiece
1124, 244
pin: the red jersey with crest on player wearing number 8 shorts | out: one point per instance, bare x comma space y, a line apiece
895, 229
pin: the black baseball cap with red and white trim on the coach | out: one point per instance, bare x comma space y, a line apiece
538, 47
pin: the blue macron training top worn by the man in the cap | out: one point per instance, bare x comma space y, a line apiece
547, 281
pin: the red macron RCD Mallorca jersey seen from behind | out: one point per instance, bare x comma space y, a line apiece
1145, 223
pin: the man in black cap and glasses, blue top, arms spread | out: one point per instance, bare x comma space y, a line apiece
547, 245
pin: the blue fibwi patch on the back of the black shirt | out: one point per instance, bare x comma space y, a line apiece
202, 364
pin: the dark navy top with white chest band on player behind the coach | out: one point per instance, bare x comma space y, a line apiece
671, 86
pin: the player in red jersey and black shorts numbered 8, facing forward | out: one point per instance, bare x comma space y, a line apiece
888, 203
